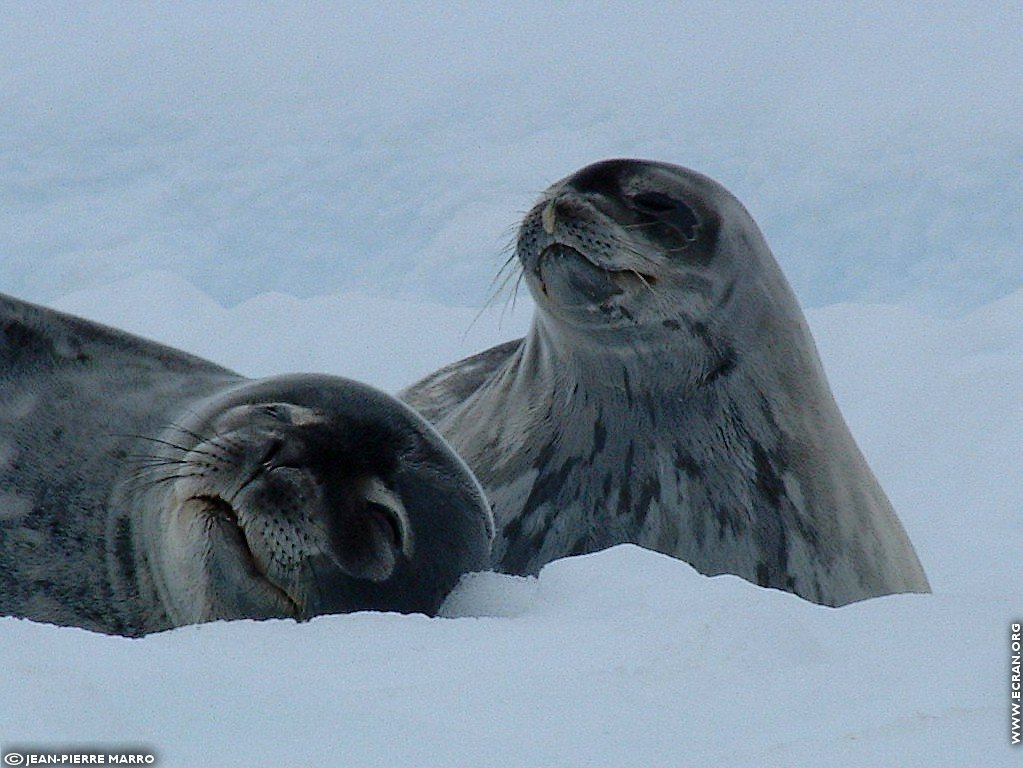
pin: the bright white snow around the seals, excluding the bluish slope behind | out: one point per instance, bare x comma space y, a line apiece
625, 658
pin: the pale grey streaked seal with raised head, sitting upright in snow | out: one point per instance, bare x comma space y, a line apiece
670, 395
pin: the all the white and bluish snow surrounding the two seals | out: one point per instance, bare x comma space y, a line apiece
329, 188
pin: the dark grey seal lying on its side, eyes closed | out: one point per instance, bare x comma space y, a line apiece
144, 489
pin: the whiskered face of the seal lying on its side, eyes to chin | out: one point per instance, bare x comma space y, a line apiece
284, 506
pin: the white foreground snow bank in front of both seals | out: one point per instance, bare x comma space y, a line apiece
621, 658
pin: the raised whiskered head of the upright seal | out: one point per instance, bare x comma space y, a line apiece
604, 248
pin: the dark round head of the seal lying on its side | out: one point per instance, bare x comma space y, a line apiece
298, 496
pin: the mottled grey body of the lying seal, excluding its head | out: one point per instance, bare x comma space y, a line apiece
72, 394
